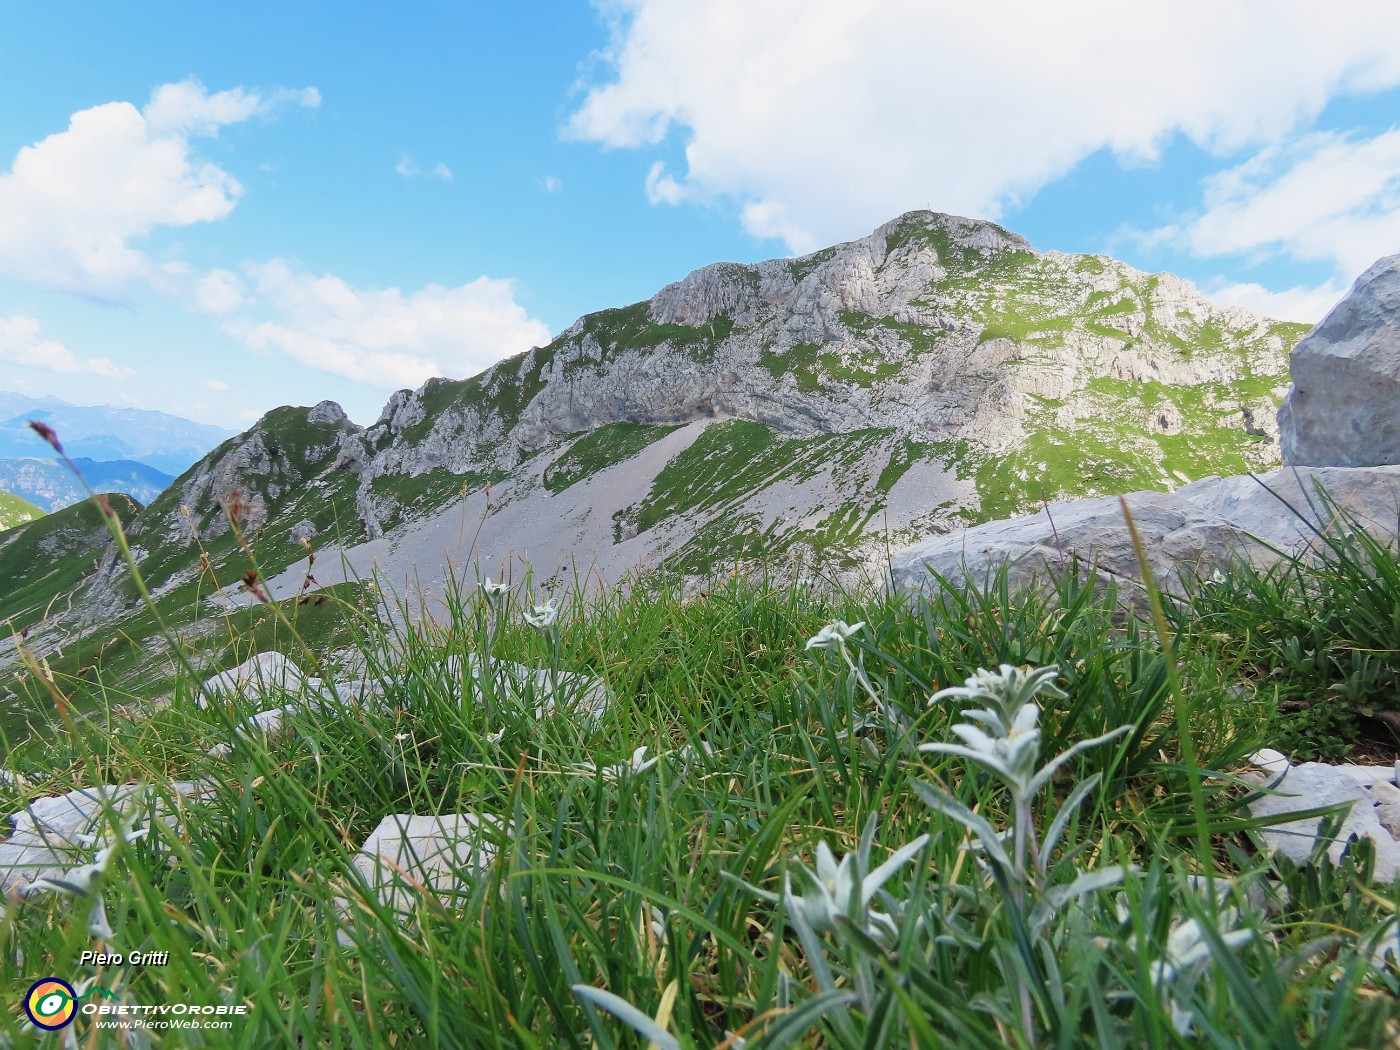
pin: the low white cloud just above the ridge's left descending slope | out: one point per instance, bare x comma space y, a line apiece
384, 337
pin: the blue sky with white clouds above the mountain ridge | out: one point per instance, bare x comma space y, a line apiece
216, 211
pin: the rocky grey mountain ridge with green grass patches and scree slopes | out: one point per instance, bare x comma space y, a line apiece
817, 411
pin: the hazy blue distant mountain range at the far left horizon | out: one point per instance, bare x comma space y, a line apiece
104, 433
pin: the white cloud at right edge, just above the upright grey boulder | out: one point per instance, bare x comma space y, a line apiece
1326, 198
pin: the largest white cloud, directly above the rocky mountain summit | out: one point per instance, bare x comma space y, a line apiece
825, 118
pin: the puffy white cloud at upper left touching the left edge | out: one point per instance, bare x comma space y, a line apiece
72, 204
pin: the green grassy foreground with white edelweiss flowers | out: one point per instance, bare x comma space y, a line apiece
796, 869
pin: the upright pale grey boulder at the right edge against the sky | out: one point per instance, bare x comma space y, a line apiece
1345, 405
